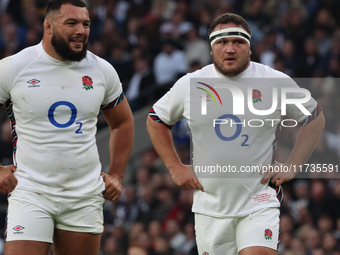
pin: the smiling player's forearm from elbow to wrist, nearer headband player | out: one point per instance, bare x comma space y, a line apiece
121, 142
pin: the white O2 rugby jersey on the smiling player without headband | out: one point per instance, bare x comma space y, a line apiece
53, 106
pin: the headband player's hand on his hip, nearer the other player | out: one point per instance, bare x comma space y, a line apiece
185, 178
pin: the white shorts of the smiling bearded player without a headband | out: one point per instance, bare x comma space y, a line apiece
34, 216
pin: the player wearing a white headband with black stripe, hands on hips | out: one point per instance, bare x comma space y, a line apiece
232, 216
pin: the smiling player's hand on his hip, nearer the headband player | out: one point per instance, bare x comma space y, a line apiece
113, 187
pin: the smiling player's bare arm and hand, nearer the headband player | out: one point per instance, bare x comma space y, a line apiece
120, 121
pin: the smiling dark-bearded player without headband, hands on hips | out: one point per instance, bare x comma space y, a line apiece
53, 93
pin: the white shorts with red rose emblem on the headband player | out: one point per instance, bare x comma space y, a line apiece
220, 236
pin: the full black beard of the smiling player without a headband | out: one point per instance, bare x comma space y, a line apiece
64, 50
